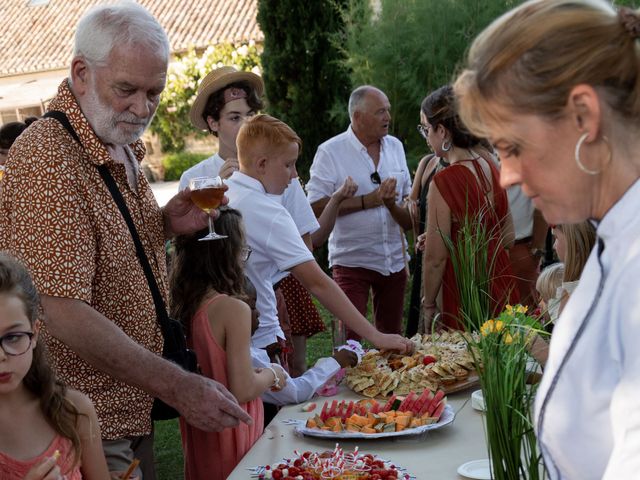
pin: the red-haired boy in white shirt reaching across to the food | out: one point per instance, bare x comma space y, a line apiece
268, 150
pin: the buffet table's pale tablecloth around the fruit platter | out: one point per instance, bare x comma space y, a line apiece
434, 455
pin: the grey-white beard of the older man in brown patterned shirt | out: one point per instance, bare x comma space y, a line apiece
104, 120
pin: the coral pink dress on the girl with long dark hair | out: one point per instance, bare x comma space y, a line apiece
211, 455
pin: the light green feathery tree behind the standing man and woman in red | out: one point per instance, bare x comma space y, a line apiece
410, 48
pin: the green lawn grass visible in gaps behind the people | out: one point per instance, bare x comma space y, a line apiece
168, 451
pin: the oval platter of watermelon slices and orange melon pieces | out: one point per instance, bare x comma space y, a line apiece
369, 419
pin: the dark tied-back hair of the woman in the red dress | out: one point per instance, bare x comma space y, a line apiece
440, 109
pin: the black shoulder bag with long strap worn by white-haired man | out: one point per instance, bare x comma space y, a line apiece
175, 345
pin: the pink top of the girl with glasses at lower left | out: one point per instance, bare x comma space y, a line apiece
12, 469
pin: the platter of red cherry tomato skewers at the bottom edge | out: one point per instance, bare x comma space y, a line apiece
331, 465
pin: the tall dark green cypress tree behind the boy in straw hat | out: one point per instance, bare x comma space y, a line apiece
303, 72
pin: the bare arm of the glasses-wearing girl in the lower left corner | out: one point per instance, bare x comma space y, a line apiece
94, 465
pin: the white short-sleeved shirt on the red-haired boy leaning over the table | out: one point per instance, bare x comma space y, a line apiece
276, 246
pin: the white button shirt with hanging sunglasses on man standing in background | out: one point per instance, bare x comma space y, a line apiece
369, 238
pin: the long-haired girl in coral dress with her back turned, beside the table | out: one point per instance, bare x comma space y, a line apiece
206, 277
